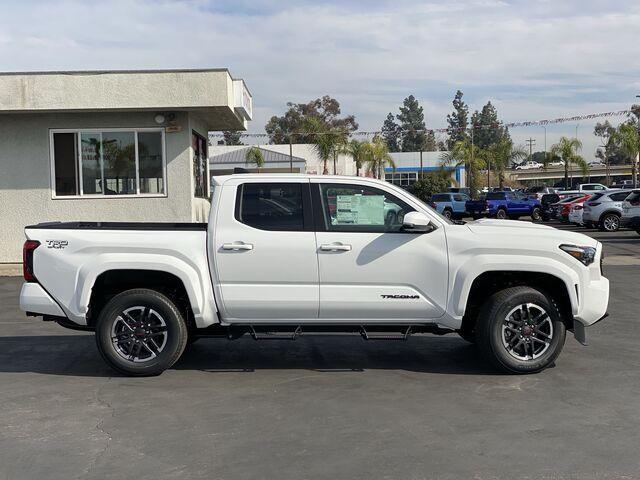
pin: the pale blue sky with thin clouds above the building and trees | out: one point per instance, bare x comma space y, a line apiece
532, 59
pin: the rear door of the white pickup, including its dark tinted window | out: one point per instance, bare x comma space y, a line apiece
265, 253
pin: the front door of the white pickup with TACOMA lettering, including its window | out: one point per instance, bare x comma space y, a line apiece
369, 268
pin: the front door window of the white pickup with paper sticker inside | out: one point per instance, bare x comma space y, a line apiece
359, 208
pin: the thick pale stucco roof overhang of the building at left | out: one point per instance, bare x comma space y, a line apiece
223, 102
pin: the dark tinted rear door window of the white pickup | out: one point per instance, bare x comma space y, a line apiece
271, 206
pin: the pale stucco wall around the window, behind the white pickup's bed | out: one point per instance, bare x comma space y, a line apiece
26, 187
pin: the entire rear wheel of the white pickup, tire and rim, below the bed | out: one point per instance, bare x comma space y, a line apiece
141, 333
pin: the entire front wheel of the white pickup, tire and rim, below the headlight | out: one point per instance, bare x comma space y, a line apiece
520, 330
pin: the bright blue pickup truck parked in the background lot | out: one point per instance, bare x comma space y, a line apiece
505, 205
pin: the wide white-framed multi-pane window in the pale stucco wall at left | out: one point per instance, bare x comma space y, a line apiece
108, 162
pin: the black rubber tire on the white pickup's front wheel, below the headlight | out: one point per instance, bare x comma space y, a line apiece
491, 337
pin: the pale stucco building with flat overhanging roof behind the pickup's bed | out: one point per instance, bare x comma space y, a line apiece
110, 146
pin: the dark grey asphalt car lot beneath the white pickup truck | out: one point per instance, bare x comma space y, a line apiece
325, 407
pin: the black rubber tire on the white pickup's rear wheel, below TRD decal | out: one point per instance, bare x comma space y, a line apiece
152, 301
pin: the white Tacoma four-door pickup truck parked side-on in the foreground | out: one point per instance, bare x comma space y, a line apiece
286, 255
